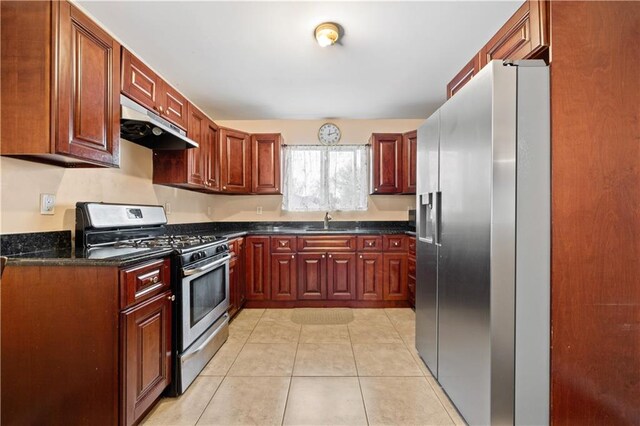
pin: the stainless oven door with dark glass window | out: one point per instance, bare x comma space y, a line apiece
205, 297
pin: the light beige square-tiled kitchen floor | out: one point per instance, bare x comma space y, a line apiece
272, 371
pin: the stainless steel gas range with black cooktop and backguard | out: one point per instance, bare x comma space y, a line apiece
200, 276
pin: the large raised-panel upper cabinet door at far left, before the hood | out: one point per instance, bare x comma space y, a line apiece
88, 89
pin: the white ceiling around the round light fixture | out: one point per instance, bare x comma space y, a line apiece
259, 60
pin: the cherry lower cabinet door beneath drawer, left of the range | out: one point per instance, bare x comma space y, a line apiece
146, 346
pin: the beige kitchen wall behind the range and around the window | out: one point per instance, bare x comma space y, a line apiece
24, 181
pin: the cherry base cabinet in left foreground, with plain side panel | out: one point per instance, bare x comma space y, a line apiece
94, 342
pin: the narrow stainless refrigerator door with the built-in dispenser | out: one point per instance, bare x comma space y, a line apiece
427, 249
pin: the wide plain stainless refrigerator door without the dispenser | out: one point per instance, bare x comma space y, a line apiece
464, 255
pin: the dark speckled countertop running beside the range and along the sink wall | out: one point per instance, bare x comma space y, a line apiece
55, 248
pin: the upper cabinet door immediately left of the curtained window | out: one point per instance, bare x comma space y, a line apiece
265, 173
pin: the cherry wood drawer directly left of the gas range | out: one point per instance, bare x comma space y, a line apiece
144, 281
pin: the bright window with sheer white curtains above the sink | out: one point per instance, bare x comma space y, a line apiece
320, 178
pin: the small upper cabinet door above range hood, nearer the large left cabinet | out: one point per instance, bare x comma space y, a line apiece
139, 82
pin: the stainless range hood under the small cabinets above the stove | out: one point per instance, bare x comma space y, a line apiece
141, 126
